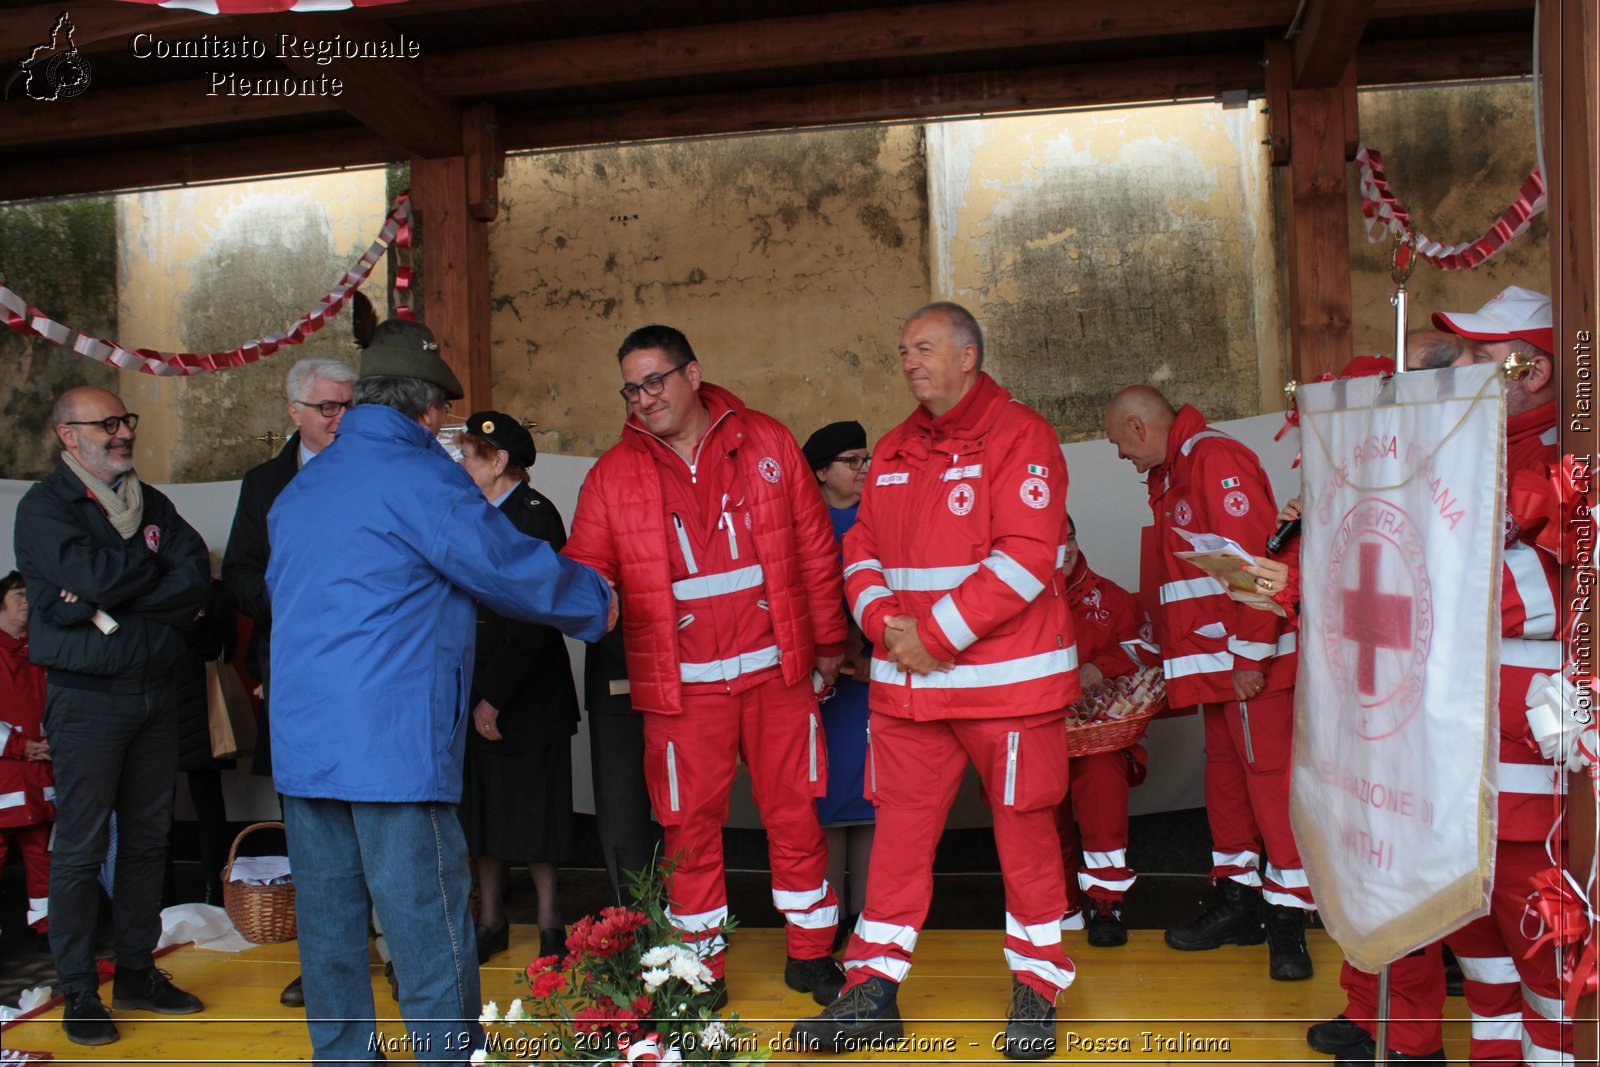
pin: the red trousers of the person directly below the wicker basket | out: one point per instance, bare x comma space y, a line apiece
1097, 809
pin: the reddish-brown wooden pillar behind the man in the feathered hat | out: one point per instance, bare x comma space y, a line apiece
455, 274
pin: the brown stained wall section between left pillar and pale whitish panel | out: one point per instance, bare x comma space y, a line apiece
786, 260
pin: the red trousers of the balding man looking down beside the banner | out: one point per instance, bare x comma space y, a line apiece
1249, 754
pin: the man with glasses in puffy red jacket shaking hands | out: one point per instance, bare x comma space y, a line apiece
710, 524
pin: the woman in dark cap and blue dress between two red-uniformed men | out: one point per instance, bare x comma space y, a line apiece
839, 458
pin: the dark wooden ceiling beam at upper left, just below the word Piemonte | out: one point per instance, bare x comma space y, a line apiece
174, 106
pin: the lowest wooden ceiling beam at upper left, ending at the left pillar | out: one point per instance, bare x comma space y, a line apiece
177, 166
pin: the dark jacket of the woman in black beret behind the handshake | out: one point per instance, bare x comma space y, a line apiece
522, 668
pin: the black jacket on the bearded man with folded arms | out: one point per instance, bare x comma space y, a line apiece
153, 585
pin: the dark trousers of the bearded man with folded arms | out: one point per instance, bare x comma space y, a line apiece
111, 753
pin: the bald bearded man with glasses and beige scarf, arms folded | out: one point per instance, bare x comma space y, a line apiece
116, 578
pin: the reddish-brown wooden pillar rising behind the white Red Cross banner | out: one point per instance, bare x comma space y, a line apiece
1319, 239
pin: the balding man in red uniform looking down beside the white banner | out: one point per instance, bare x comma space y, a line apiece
1226, 658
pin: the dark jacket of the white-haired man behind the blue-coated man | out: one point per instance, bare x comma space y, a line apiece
246, 573
